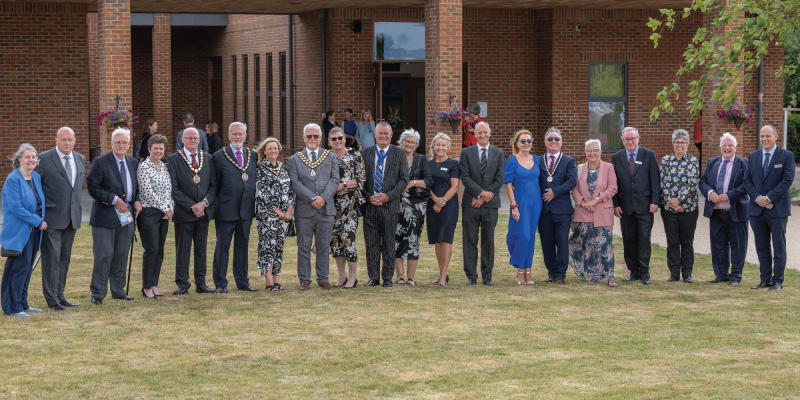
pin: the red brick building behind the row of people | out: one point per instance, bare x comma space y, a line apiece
534, 63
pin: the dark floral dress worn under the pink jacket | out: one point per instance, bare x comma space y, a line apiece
590, 247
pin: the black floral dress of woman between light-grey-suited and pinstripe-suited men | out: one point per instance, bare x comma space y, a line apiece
348, 201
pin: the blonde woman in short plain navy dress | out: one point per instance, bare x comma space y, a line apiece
443, 203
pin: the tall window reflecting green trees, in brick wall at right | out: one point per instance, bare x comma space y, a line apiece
608, 103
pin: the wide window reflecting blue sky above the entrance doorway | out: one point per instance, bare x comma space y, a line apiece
399, 41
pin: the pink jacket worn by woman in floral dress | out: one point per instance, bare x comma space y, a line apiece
606, 188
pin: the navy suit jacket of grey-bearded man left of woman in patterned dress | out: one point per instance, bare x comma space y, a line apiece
236, 198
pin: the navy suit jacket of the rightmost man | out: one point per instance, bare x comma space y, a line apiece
774, 185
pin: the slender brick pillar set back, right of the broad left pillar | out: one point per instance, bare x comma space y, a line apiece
162, 75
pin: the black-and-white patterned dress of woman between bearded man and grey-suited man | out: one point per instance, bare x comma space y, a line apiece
273, 190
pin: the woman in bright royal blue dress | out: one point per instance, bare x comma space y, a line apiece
521, 177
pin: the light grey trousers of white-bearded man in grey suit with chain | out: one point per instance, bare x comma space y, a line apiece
319, 227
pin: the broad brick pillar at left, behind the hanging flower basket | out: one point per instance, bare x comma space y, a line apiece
114, 57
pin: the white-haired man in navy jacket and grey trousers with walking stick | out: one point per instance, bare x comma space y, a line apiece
113, 185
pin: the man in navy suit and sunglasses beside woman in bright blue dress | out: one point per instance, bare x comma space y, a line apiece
557, 176
